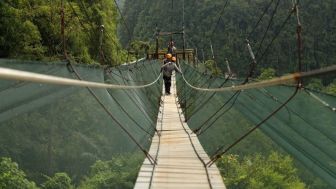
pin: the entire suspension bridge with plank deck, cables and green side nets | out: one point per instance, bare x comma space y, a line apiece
170, 130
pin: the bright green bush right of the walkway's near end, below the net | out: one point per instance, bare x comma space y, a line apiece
273, 171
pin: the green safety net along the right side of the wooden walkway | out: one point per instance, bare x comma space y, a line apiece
304, 128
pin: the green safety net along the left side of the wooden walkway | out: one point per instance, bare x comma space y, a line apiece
52, 128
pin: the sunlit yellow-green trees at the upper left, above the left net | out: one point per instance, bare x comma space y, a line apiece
32, 30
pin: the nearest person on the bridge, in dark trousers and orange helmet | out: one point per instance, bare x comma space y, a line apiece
167, 70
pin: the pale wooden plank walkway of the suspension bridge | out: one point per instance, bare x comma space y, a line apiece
180, 156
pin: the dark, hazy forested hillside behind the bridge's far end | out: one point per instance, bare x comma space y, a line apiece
236, 24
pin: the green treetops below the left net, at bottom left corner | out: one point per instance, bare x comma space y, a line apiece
119, 172
